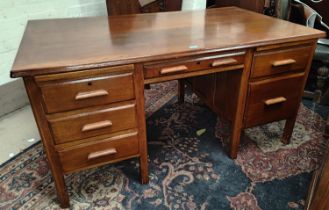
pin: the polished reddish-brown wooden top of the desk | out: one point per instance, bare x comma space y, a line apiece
60, 45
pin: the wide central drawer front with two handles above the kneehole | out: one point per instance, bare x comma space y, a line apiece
181, 66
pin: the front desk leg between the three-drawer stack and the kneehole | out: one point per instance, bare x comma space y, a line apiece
141, 121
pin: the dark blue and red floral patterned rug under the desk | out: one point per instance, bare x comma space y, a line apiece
189, 168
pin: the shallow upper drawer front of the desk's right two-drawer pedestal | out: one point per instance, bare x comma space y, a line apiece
280, 61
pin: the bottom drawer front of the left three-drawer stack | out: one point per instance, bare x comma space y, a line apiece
90, 155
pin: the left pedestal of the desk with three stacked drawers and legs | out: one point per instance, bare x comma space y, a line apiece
89, 118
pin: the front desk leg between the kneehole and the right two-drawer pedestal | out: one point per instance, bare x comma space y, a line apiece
237, 122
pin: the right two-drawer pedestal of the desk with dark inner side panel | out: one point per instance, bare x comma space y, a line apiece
275, 87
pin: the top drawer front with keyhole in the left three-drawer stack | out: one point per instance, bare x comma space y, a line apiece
75, 94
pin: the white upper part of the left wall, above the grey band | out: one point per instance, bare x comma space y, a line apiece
15, 13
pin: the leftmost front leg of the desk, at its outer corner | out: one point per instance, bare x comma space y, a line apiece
54, 163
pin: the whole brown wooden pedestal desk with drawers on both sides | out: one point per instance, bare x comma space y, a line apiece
85, 78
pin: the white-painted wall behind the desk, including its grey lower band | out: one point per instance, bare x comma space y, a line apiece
14, 15
